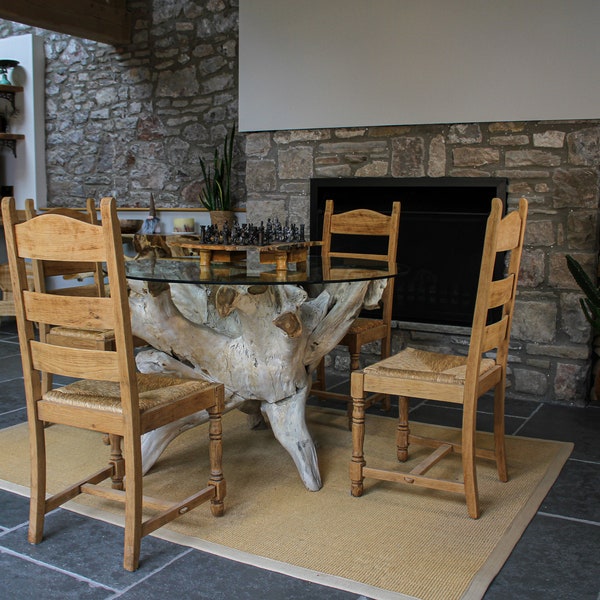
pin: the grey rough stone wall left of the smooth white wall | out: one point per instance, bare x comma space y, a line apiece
133, 120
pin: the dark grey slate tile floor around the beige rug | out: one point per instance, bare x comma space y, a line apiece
558, 556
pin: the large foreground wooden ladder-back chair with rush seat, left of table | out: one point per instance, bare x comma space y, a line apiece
108, 395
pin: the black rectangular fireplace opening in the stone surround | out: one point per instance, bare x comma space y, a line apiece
442, 228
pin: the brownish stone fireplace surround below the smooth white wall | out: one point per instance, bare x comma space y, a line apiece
553, 164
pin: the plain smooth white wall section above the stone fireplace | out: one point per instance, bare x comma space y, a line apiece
344, 63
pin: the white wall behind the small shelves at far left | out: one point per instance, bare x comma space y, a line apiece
27, 173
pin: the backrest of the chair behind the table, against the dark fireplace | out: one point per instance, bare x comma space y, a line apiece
364, 223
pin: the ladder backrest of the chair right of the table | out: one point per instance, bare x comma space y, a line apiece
502, 235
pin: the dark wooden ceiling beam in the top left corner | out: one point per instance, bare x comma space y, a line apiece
104, 21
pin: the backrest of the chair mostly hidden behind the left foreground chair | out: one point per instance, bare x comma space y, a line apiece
74, 268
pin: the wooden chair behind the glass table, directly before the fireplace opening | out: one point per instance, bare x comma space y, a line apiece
361, 223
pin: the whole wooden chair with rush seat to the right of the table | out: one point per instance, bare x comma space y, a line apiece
460, 380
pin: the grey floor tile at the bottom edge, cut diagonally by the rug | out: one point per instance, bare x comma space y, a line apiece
202, 576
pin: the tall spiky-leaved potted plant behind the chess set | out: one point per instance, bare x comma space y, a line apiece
215, 196
